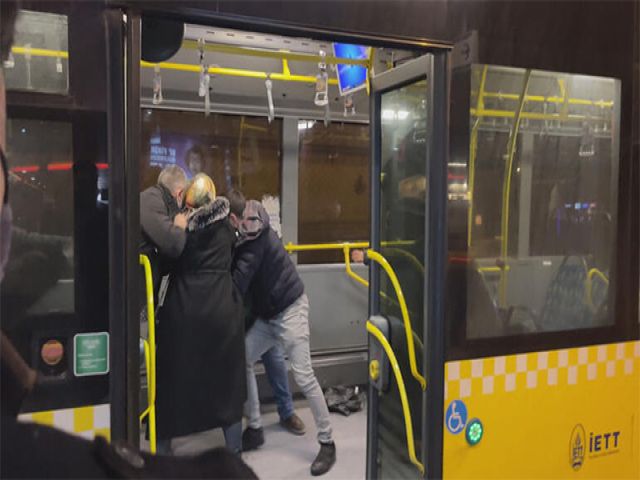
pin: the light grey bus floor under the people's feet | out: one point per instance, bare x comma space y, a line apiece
287, 456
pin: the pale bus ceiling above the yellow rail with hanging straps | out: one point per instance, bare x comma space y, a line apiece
230, 93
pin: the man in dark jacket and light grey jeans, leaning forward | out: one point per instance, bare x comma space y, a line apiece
264, 272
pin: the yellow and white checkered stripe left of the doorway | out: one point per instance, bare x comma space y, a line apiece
87, 422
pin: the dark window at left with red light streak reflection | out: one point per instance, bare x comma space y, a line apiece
40, 272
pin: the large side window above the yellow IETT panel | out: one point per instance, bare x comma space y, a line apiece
542, 201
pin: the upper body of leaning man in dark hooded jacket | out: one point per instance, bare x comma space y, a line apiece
262, 269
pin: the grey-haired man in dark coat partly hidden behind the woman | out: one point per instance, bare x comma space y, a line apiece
161, 223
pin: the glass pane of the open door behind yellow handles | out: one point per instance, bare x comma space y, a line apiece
402, 233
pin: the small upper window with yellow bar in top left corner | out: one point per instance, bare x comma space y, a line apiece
39, 60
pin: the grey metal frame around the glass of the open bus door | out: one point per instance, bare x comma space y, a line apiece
432, 67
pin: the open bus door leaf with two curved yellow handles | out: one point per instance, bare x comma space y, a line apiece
408, 134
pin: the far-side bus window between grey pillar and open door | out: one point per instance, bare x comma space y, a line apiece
337, 155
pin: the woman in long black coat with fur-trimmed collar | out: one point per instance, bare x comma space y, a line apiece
201, 380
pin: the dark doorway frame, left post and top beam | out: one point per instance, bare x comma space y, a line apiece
124, 109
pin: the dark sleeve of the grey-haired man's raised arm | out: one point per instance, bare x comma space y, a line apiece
158, 226
